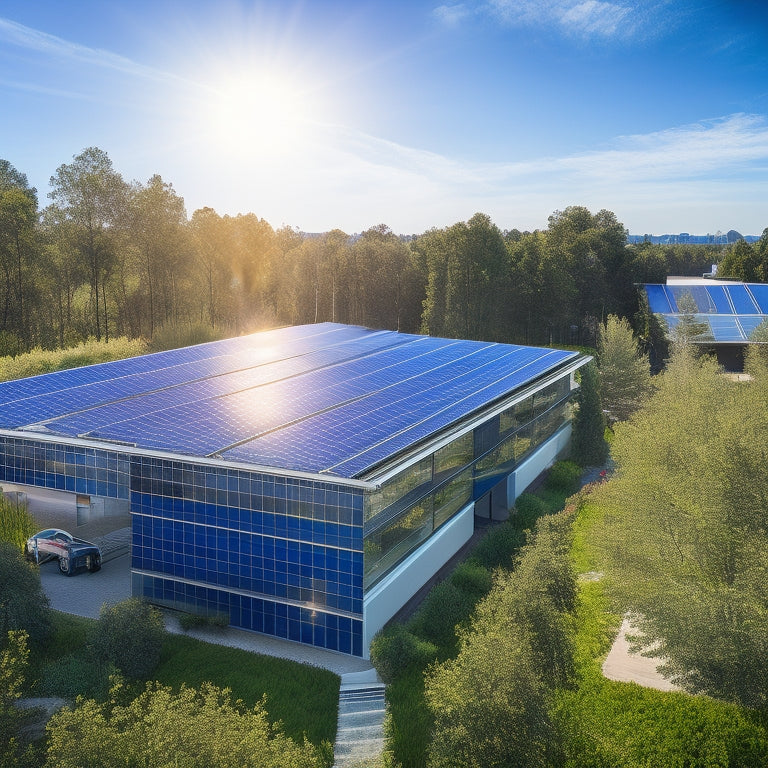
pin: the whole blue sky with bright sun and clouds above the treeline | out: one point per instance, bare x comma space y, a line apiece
326, 114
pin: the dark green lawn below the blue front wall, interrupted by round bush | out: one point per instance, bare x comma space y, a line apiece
304, 698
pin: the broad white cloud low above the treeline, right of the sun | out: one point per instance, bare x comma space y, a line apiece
697, 177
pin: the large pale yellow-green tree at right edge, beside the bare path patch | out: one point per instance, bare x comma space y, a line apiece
685, 539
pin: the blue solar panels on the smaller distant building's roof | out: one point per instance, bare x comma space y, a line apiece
726, 312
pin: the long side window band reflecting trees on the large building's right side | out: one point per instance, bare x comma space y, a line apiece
412, 505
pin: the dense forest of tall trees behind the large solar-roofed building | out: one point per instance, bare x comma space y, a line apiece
107, 258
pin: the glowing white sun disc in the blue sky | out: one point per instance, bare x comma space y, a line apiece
258, 114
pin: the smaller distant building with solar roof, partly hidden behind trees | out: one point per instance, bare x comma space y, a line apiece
721, 315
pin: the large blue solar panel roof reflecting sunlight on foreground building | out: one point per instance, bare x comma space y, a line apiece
323, 398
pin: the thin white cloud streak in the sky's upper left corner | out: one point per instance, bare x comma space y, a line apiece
56, 47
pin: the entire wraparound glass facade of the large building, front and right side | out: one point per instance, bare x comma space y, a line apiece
281, 555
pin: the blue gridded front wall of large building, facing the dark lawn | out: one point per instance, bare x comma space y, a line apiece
274, 554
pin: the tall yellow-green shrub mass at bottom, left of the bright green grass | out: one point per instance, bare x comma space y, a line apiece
490, 703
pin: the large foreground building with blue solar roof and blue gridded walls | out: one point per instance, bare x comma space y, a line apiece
306, 482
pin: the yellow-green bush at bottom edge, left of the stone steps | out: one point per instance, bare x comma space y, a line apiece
201, 728
